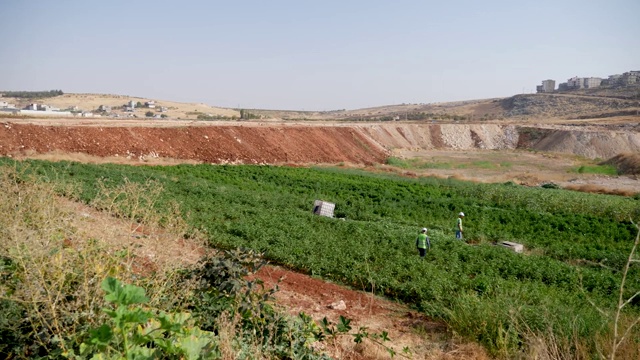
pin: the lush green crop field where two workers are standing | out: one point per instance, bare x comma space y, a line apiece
566, 284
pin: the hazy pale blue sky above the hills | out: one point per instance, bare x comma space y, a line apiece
312, 55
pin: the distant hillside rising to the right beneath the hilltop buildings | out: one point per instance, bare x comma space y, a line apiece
581, 104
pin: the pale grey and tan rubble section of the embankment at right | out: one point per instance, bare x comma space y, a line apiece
589, 142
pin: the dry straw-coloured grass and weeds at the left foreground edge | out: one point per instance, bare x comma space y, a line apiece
61, 255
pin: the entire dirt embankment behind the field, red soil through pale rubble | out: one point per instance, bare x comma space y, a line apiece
303, 143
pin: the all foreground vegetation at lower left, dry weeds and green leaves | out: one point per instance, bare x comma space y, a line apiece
75, 291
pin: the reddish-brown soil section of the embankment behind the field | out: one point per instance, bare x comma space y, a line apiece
210, 144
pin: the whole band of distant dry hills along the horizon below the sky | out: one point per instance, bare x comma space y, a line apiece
579, 104
